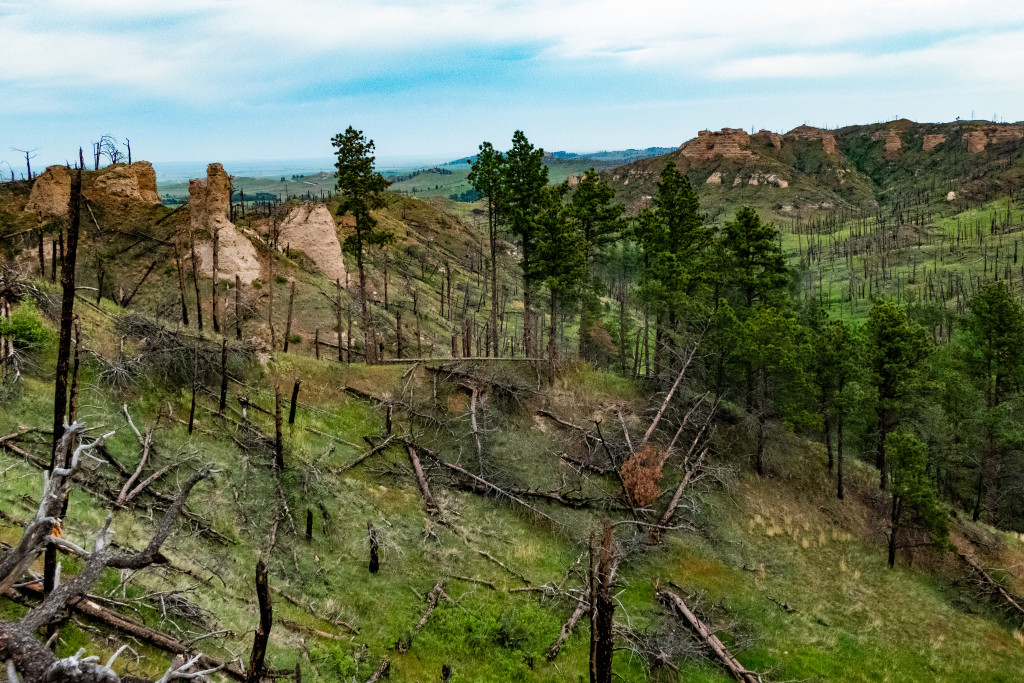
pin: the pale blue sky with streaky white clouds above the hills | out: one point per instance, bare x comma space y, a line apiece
217, 80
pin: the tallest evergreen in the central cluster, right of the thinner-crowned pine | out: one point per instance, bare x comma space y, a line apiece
526, 179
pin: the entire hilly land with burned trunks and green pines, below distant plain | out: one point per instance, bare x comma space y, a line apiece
681, 429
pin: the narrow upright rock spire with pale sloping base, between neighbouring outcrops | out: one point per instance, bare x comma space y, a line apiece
209, 201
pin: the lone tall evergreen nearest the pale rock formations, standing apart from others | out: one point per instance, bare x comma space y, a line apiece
361, 191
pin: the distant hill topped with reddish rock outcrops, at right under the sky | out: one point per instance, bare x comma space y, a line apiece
857, 167
